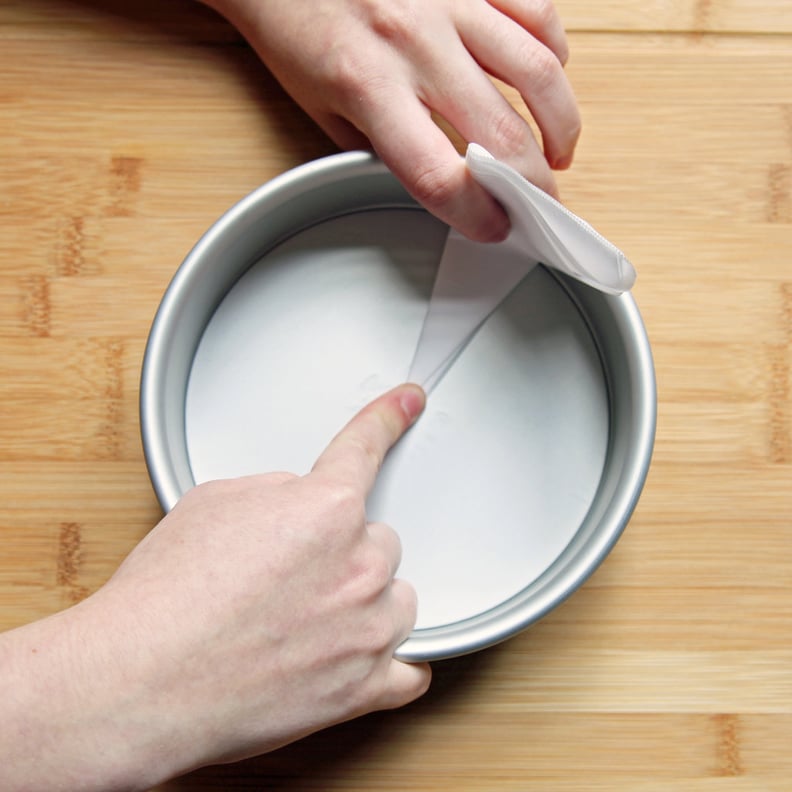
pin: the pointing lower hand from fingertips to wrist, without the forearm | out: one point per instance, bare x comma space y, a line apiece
268, 603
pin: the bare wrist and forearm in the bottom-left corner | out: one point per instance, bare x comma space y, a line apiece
77, 715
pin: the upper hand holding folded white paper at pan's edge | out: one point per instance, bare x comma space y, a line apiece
372, 73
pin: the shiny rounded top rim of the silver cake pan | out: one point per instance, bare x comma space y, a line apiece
431, 643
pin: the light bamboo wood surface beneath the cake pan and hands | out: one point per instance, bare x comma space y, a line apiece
124, 132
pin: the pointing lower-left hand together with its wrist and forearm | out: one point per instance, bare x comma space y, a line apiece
259, 610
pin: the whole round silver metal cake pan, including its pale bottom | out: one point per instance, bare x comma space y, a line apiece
306, 300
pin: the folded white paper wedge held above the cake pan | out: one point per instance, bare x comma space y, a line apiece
474, 278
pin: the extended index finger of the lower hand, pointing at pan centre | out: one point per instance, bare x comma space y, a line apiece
356, 453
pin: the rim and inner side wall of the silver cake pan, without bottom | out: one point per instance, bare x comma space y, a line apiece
353, 185
